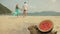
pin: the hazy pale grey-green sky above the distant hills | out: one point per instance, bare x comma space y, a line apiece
33, 5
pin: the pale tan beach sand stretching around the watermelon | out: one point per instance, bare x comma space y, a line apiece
19, 25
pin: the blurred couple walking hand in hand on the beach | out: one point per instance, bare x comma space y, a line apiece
24, 9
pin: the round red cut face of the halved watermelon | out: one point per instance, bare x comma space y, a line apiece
45, 25
